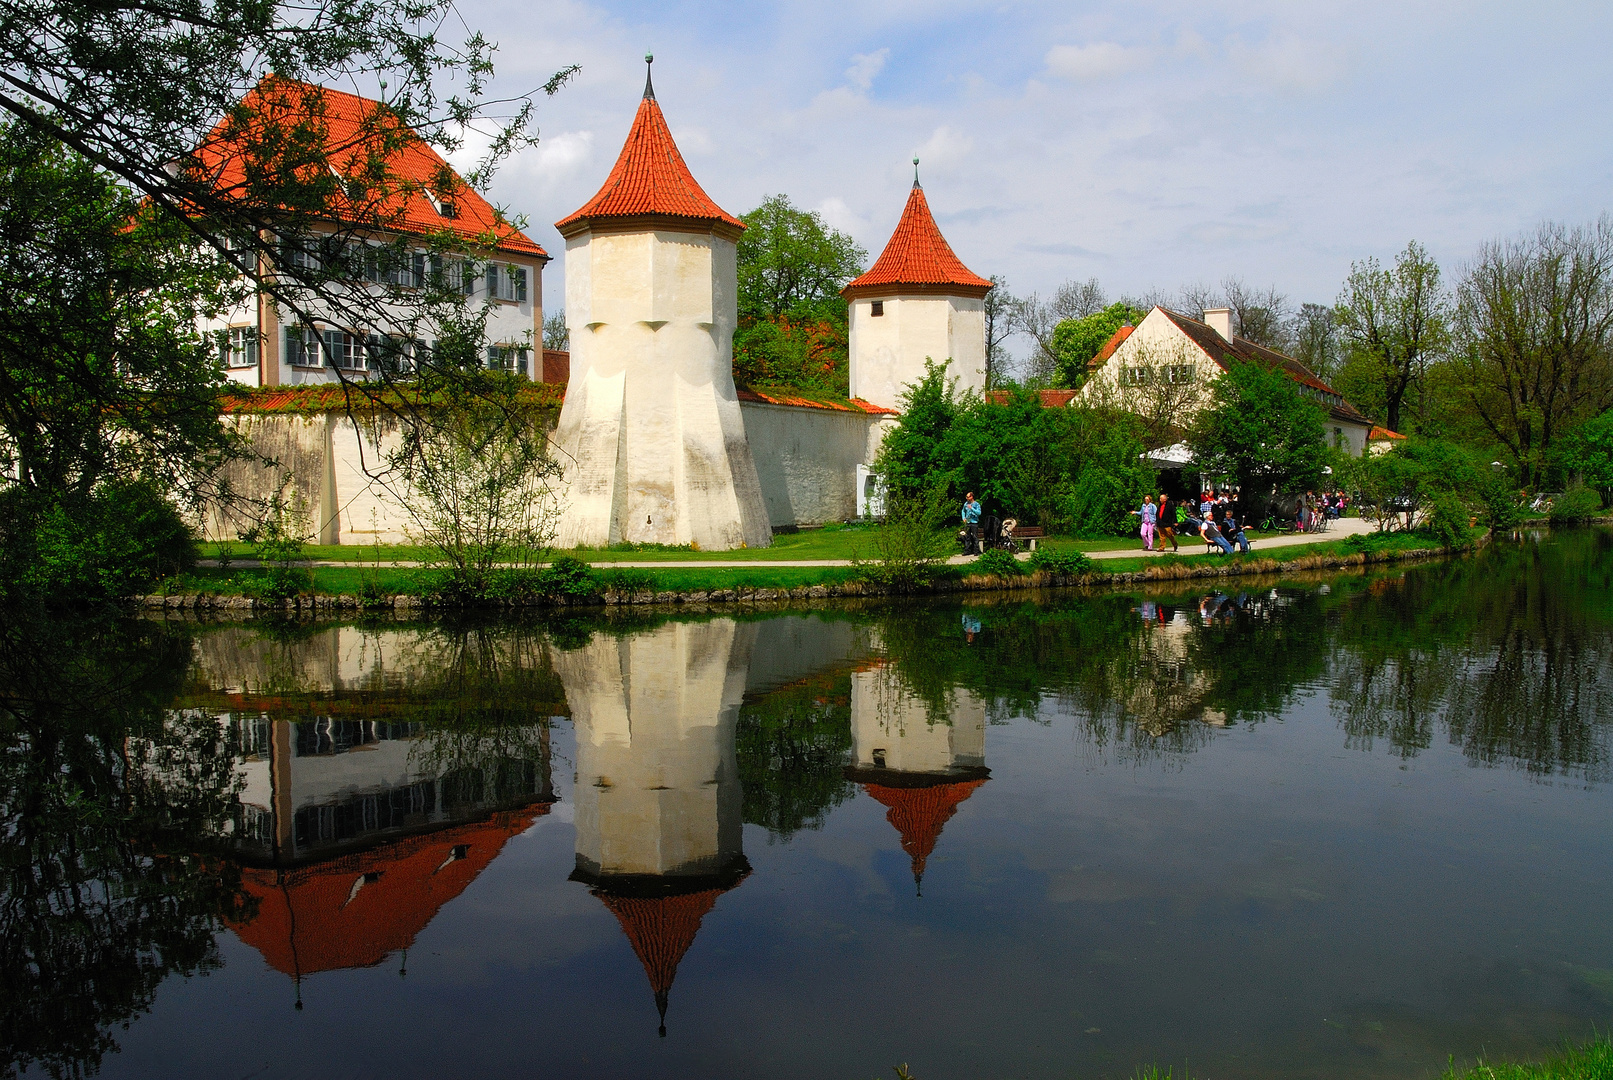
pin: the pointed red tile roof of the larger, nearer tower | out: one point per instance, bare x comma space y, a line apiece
651, 181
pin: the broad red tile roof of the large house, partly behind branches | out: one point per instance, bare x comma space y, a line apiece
352, 128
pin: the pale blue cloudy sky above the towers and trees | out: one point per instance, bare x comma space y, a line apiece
1149, 146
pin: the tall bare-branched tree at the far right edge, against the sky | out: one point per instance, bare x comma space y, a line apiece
1535, 338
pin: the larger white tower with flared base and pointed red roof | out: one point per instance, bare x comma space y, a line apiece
651, 438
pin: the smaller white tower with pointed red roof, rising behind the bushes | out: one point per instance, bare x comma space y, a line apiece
919, 302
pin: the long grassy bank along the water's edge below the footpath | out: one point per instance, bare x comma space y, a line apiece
380, 589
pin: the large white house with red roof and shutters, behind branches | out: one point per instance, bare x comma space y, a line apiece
422, 197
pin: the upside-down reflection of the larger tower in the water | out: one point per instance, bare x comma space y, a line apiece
657, 794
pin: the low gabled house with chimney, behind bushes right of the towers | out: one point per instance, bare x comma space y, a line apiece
1177, 352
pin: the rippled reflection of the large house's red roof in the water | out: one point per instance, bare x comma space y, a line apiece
357, 910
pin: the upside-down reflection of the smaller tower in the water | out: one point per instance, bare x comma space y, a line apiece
914, 763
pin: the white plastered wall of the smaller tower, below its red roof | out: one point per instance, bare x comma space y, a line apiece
888, 352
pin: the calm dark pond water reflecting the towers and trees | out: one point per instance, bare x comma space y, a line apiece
1335, 828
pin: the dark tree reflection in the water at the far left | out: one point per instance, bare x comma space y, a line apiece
107, 805
